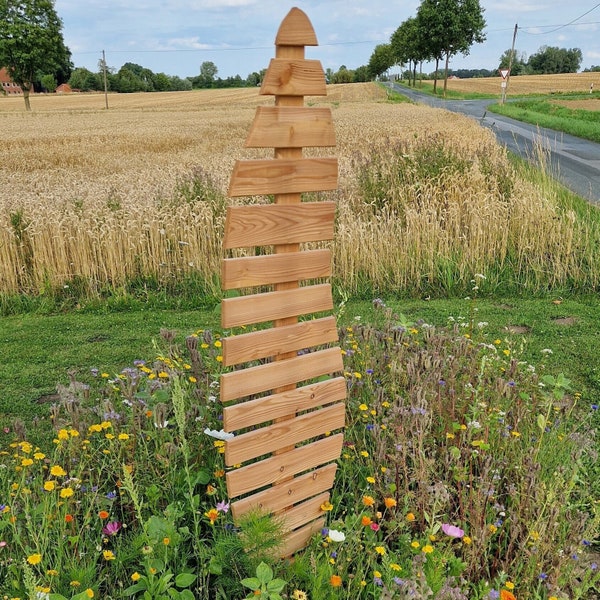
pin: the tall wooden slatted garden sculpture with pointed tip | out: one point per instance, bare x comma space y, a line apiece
286, 405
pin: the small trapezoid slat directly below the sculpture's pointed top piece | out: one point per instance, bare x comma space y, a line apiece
286, 77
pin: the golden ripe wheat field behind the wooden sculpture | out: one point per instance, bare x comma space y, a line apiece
108, 195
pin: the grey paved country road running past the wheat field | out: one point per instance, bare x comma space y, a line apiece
573, 161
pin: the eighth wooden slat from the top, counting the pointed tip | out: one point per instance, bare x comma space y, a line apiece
255, 345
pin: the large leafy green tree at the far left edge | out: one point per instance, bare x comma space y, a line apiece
31, 43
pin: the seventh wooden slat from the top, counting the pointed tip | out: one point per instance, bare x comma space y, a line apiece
259, 308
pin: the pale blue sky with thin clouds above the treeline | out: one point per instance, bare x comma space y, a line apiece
176, 36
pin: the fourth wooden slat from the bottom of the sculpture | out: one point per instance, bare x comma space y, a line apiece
280, 467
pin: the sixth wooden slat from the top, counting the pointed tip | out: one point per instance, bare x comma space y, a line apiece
251, 271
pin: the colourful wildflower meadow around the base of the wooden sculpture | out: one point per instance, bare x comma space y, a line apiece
465, 473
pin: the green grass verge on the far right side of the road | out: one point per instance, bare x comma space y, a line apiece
580, 123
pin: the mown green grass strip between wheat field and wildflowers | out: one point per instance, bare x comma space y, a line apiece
37, 352
